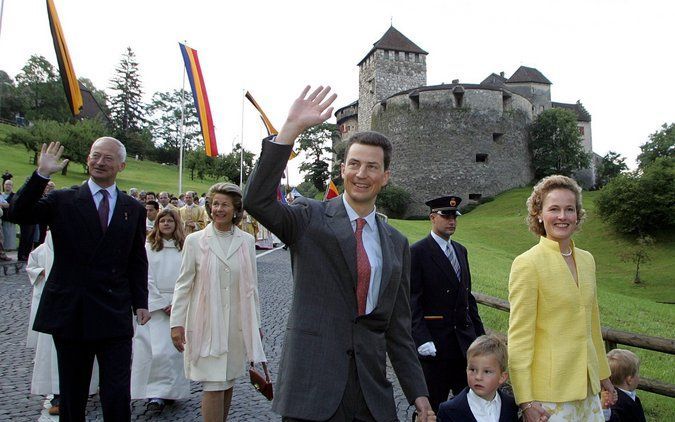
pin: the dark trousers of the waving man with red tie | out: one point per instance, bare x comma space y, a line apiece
352, 407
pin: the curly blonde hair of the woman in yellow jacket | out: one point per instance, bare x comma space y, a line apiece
535, 202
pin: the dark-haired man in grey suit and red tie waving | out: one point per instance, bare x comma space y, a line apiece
351, 272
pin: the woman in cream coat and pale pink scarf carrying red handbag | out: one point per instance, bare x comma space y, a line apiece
215, 317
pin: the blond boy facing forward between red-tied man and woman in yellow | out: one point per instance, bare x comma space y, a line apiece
481, 400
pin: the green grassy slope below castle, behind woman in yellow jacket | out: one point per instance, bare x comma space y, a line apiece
496, 232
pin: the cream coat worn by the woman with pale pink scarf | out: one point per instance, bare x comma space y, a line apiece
231, 364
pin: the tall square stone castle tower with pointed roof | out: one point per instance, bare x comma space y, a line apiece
394, 64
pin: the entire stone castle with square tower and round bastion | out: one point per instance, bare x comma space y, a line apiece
459, 138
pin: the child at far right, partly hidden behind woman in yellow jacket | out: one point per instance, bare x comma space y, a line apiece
625, 366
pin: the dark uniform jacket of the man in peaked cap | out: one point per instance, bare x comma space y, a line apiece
443, 307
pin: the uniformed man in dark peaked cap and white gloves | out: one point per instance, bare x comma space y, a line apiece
445, 316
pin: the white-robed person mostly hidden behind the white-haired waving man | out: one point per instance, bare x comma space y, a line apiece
45, 380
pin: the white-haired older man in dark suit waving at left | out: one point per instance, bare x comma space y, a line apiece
99, 276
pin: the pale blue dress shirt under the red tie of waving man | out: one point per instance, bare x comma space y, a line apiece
371, 242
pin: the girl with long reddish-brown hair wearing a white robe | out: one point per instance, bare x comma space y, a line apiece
157, 368
